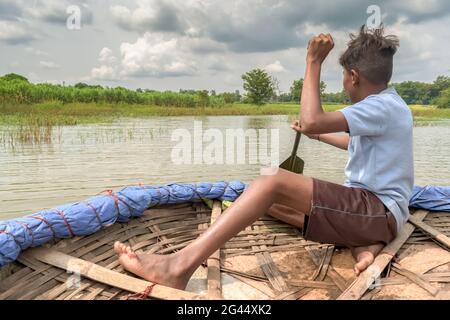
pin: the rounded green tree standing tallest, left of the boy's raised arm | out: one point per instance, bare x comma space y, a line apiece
259, 86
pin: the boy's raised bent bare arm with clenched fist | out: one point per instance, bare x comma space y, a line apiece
313, 118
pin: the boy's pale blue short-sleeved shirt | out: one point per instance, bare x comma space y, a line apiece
381, 156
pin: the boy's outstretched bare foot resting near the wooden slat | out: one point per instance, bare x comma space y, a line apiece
160, 269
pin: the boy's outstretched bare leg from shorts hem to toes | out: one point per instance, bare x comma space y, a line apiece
285, 188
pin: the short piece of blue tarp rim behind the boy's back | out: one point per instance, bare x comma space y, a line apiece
433, 198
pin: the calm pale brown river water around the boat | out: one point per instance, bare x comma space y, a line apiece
81, 161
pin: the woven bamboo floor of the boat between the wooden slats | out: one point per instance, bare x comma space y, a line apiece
269, 260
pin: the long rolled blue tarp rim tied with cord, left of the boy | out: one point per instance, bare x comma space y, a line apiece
87, 217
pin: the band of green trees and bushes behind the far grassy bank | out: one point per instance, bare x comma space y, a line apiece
259, 88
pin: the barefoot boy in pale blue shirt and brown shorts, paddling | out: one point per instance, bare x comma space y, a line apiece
367, 212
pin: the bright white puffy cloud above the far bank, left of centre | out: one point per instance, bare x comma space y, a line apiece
154, 55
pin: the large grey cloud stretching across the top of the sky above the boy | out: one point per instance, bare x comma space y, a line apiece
262, 26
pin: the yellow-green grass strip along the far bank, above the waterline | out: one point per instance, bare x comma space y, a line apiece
57, 114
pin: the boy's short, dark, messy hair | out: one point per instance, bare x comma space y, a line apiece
371, 54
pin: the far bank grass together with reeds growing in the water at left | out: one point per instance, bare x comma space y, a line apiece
37, 123
